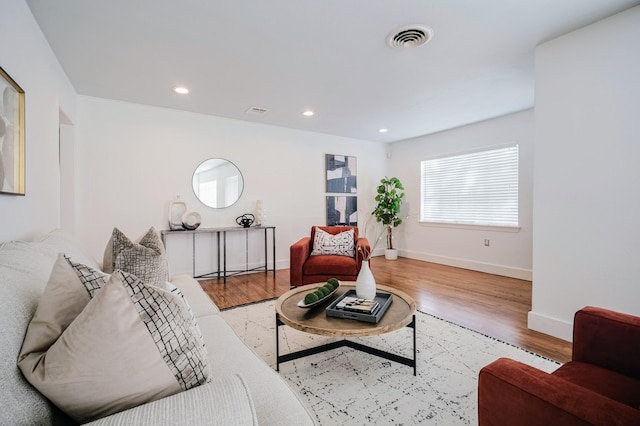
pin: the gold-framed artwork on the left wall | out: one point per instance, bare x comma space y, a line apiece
12, 149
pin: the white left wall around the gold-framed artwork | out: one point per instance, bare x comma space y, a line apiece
26, 56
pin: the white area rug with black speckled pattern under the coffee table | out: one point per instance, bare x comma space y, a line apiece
345, 386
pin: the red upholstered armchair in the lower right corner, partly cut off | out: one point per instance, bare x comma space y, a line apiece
599, 386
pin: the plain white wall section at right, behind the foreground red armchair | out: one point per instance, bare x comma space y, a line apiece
586, 247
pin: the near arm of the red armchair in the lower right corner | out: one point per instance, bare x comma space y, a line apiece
510, 392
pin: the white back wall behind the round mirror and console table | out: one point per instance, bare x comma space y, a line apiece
134, 159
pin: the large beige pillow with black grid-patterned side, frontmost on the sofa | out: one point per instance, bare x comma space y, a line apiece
131, 344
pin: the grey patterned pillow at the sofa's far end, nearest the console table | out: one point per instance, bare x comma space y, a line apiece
145, 258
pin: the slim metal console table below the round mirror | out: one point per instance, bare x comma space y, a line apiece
222, 232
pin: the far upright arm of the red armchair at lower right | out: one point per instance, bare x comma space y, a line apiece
607, 339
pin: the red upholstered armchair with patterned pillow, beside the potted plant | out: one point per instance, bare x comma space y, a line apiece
307, 269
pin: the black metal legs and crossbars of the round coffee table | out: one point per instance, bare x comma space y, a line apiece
348, 343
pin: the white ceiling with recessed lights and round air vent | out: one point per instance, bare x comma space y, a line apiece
330, 56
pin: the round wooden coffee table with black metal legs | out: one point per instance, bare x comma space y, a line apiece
401, 313
